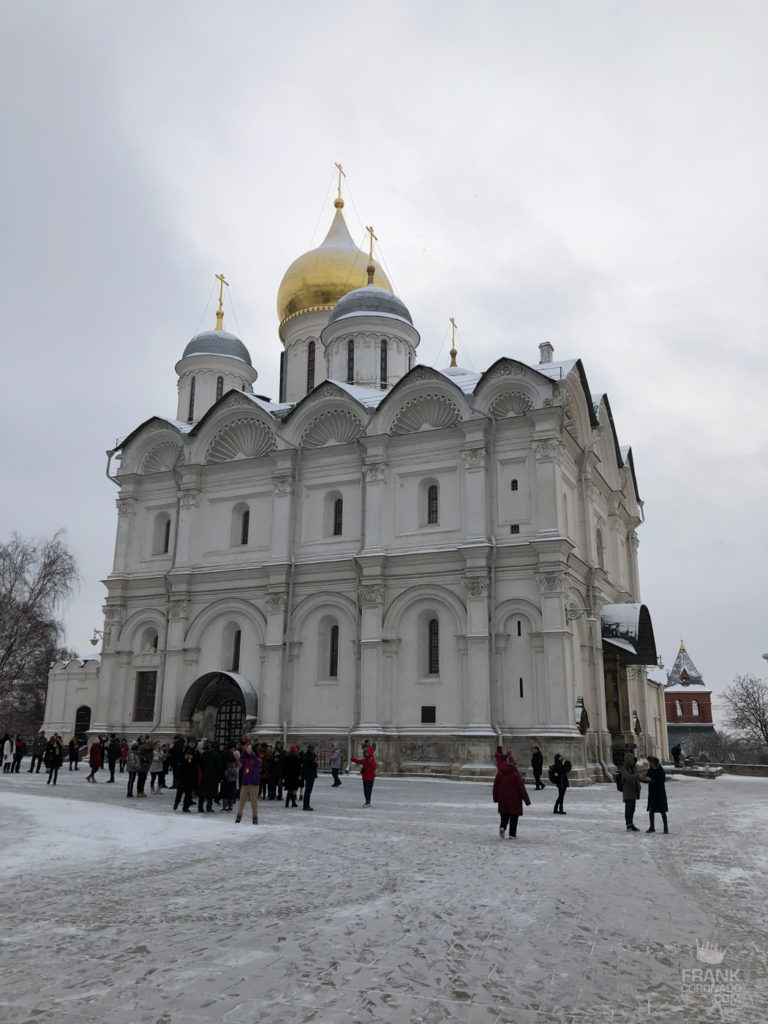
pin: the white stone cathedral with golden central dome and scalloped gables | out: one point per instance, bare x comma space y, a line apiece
435, 561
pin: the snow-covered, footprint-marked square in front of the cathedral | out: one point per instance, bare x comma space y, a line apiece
121, 912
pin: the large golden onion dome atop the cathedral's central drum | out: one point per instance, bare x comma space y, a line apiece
319, 279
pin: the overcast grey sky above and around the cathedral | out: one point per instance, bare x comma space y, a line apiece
589, 174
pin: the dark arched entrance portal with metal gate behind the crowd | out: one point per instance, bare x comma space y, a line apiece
220, 705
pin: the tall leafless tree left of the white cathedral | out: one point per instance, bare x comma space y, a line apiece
37, 577
